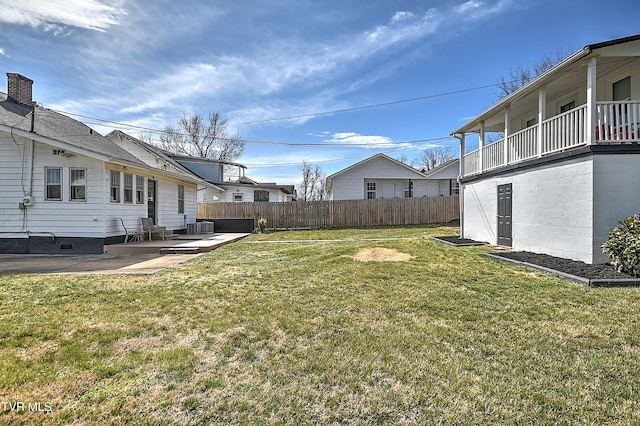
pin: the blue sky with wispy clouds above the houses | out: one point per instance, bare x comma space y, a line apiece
421, 68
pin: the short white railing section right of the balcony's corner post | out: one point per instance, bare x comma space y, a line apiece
617, 122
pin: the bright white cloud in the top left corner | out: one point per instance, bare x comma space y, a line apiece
52, 14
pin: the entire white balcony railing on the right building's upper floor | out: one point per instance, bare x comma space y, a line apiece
616, 122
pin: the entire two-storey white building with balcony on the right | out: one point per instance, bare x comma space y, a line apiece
567, 167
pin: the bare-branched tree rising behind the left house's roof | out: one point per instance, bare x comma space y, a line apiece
194, 136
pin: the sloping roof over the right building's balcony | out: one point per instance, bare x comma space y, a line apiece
550, 74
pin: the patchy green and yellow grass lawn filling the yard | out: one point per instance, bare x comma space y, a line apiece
263, 332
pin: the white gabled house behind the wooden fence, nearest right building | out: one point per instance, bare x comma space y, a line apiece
381, 176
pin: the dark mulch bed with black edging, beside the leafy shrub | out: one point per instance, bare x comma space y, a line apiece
599, 274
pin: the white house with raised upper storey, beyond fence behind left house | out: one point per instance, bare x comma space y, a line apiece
228, 182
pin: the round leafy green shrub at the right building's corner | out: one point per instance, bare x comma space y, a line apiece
623, 245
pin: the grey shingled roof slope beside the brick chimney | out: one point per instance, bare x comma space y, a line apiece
58, 130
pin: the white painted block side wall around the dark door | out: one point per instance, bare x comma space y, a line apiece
552, 209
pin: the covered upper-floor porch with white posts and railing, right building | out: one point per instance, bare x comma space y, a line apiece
587, 99
